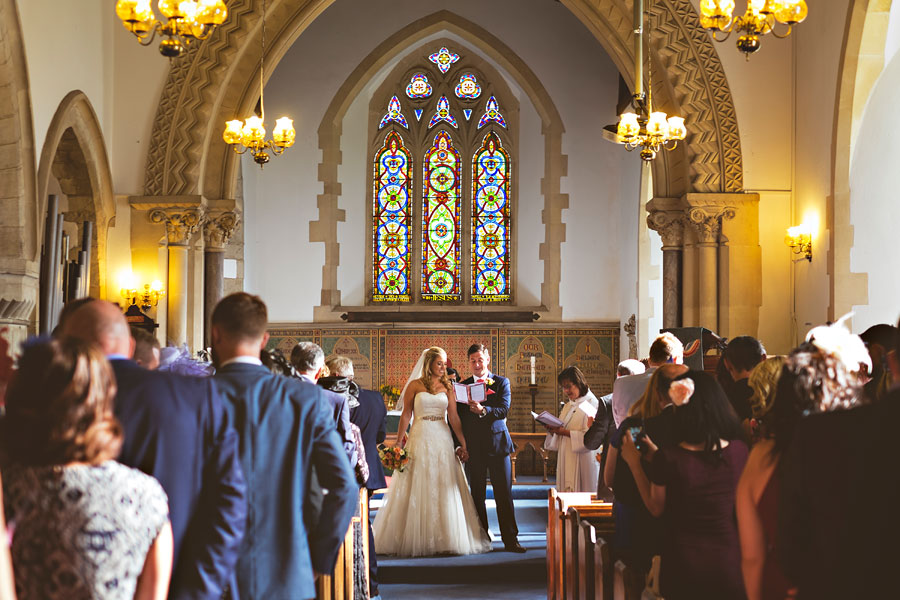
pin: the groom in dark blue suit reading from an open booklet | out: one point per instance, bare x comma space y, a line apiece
489, 445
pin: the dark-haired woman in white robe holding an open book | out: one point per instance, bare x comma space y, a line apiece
577, 468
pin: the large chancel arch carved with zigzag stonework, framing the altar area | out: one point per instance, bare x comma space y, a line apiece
214, 81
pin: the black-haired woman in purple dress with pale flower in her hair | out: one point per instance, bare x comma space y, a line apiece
692, 486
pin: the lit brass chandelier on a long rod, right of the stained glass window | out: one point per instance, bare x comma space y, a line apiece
646, 129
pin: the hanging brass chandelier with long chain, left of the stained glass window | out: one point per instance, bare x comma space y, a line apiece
251, 134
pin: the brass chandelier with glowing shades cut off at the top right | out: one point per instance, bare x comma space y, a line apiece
760, 19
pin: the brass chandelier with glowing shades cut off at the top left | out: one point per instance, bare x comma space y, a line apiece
186, 21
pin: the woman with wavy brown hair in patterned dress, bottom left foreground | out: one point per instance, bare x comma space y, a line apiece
84, 525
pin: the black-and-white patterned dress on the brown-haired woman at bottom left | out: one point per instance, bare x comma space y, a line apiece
81, 532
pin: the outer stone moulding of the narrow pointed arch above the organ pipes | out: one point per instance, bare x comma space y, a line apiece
76, 114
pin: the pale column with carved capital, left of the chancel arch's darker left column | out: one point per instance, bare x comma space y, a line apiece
181, 224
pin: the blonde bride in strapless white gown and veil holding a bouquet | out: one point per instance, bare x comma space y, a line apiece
428, 508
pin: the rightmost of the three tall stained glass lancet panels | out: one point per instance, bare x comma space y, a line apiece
490, 222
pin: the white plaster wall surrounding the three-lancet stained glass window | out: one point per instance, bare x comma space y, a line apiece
285, 267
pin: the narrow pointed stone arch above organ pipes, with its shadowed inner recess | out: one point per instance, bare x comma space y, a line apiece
74, 153
